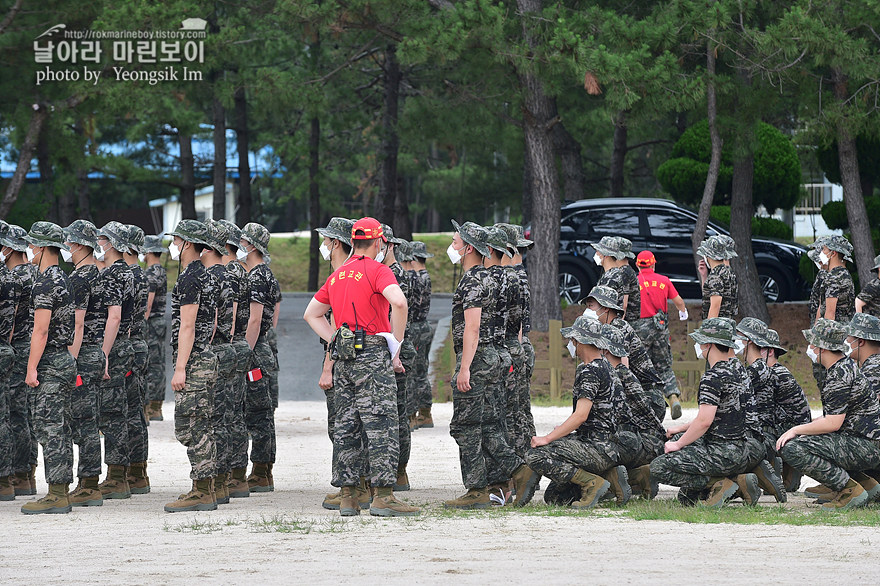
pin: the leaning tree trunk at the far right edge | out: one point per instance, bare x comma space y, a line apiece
856, 212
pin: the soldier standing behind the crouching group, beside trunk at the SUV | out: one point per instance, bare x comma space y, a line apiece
720, 289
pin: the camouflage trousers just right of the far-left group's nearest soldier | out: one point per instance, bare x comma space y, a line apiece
84, 410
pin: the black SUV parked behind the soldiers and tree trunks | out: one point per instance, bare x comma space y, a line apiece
665, 229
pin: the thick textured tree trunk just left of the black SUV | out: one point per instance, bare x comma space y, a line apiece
543, 262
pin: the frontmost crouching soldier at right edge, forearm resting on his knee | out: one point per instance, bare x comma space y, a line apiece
847, 436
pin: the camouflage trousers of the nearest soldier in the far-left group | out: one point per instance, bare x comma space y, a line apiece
50, 407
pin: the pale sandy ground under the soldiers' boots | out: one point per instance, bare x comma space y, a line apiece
287, 537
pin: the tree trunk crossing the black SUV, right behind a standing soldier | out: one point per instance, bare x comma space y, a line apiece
751, 296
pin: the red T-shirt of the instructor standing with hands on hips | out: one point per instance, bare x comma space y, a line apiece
354, 292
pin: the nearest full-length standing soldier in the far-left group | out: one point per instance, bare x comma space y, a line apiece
51, 370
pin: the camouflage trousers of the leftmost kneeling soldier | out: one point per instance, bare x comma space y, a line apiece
560, 459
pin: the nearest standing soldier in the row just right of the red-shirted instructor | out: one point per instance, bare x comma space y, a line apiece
475, 423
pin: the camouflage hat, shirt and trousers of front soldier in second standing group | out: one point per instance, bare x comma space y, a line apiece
193, 405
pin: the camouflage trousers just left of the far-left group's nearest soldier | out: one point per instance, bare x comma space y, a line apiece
24, 456
